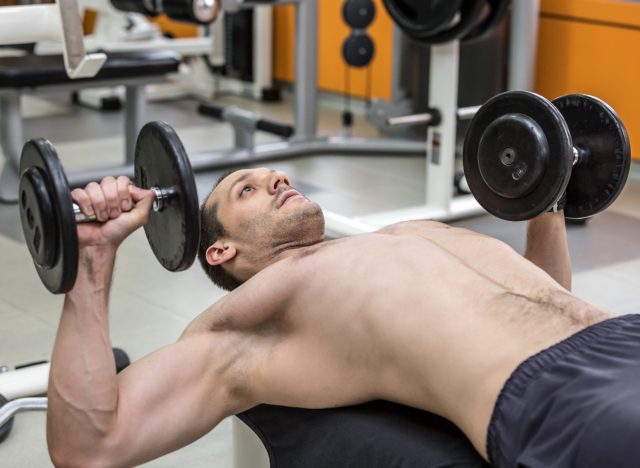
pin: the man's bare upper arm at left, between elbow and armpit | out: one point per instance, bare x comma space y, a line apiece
172, 397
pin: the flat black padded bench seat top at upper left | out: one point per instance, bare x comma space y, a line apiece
40, 70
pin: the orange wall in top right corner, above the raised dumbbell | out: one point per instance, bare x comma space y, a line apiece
590, 46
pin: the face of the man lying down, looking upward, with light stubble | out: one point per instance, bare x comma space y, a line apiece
263, 213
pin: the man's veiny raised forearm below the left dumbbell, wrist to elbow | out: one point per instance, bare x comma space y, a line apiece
83, 389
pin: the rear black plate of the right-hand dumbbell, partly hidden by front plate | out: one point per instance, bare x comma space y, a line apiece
605, 154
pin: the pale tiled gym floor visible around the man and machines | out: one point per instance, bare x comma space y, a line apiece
150, 306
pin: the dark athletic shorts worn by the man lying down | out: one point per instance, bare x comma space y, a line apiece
576, 404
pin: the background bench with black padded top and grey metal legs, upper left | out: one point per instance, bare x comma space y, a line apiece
29, 73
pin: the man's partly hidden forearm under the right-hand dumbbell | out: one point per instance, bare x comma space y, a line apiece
547, 246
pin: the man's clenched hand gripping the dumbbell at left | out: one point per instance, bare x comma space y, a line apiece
118, 205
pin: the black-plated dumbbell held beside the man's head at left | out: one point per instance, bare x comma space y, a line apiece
49, 216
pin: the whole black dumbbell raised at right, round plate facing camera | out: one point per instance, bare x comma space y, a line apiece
522, 152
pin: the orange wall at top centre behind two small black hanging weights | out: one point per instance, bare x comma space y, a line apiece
332, 31
